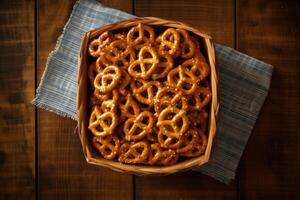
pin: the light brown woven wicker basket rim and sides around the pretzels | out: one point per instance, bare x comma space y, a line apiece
82, 101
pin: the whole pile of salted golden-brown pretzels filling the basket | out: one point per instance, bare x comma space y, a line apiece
150, 95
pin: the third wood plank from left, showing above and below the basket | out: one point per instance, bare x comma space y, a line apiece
217, 18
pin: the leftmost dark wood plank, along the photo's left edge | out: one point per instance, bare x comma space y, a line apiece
17, 117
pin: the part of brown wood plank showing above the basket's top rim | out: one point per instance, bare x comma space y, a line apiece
215, 17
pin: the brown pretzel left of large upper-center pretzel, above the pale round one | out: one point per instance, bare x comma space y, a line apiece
118, 53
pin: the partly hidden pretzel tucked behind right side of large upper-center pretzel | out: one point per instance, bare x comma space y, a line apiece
164, 66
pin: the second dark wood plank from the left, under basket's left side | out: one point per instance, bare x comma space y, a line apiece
63, 171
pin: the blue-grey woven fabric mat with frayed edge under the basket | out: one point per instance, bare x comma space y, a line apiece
244, 84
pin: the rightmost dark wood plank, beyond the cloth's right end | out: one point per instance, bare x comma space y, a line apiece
269, 30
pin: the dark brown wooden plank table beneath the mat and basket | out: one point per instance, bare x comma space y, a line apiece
40, 157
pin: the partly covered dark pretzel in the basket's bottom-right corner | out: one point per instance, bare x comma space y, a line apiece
198, 148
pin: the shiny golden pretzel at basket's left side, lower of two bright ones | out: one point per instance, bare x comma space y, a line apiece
102, 124
